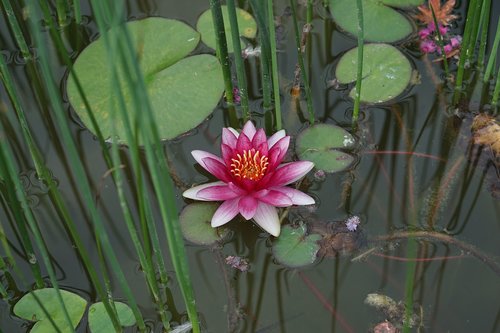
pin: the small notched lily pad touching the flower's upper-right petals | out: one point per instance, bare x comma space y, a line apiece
320, 143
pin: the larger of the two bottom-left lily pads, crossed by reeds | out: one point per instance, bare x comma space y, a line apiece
28, 308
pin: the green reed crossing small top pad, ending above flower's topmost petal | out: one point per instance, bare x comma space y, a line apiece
238, 60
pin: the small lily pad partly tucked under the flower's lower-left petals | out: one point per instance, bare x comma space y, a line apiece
195, 221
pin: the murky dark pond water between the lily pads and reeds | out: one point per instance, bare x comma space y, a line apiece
444, 184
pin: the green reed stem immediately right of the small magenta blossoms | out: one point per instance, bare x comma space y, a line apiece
466, 49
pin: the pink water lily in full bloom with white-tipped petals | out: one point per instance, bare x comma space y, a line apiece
252, 178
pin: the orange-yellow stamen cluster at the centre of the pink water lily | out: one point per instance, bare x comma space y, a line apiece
252, 165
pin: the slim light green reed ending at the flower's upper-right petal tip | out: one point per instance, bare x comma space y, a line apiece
274, 65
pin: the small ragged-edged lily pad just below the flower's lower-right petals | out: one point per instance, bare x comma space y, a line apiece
293, 248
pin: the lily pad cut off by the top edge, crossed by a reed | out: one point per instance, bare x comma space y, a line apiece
381, 22
